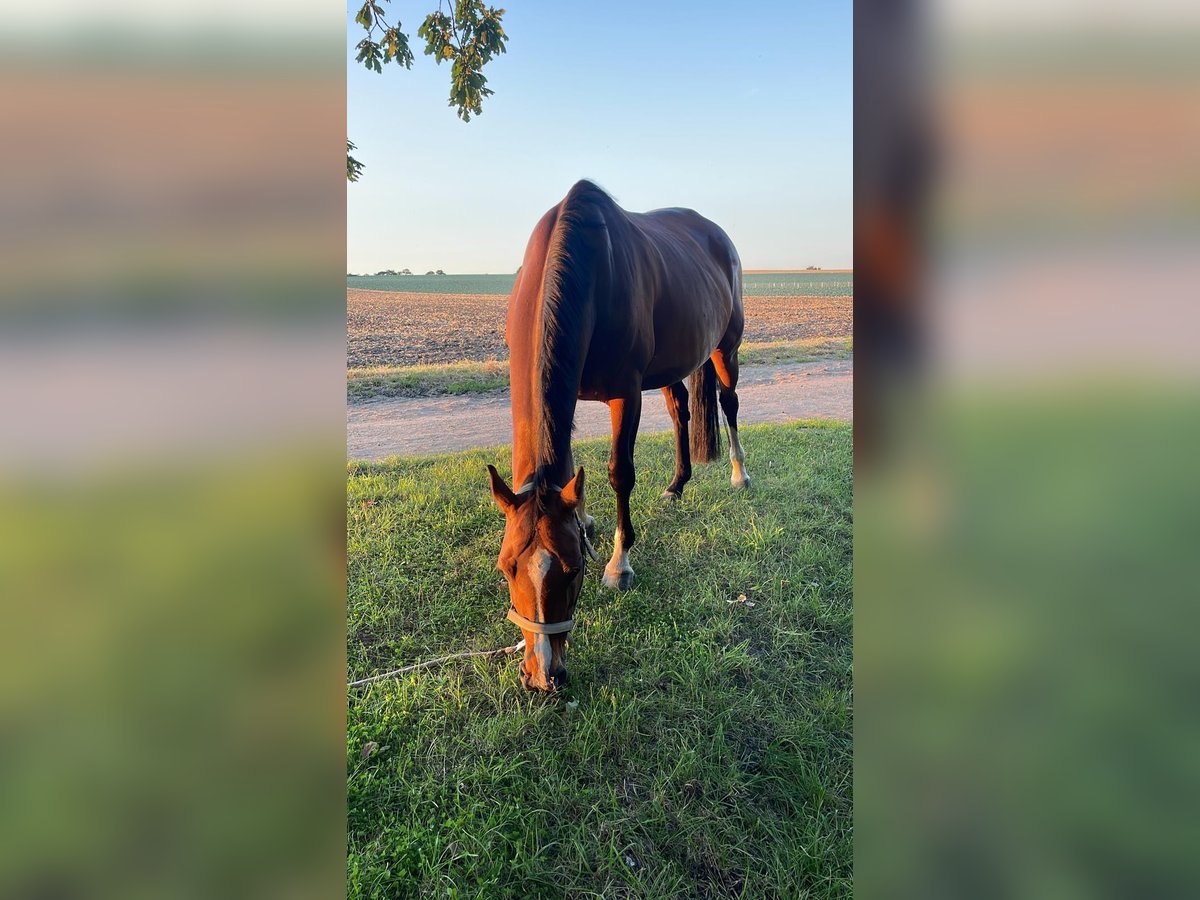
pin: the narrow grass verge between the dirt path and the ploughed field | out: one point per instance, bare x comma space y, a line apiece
469, 377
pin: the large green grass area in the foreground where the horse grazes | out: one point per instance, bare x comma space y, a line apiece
700, 749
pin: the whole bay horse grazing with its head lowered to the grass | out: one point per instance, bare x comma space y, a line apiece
607, 304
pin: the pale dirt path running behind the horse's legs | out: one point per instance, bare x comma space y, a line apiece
430, 425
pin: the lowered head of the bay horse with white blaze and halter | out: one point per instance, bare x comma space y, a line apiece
543, 560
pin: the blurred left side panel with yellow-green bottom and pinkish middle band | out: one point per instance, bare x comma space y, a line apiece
172, 463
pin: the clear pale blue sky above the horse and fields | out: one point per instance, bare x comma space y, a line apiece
742, 112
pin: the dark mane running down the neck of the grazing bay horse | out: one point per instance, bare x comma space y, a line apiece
567, 295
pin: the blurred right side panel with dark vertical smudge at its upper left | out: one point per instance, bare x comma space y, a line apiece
1028, 214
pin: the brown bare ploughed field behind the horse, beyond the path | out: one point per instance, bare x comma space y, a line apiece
401, 329
